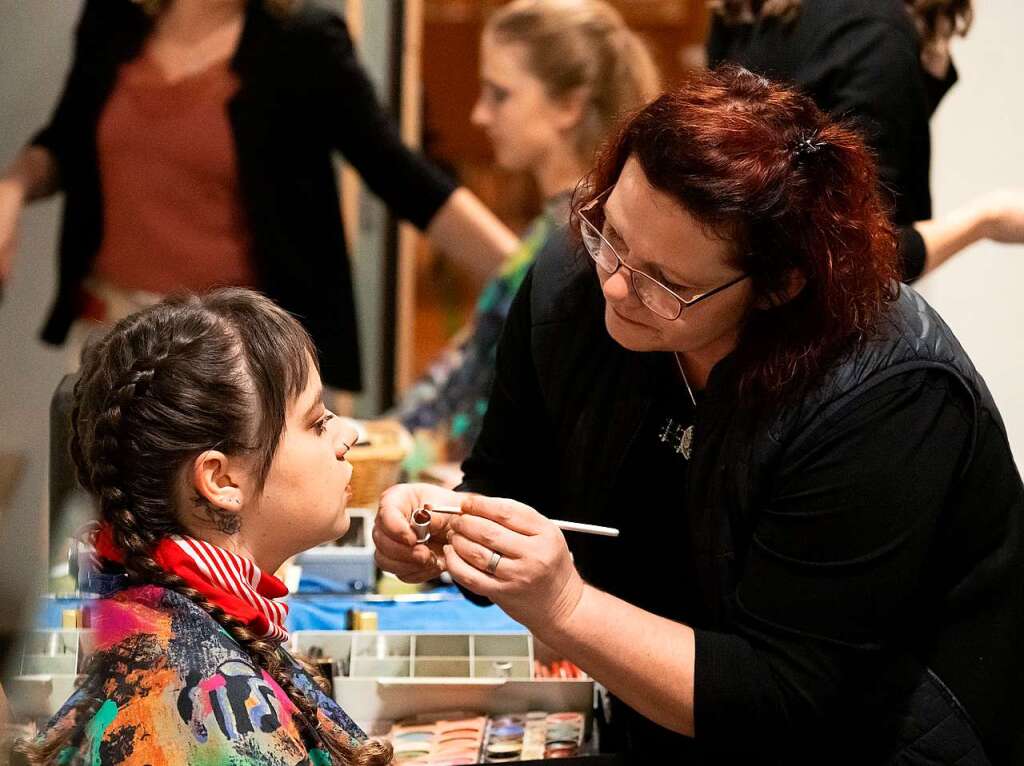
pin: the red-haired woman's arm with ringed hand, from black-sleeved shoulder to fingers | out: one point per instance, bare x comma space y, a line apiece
832, 571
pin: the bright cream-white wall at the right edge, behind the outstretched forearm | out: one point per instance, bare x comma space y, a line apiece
978, 145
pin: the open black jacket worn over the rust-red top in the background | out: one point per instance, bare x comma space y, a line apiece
303, 96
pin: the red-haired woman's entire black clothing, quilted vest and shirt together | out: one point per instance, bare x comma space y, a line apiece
825, 615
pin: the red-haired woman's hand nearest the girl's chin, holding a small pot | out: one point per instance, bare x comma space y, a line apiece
398, 551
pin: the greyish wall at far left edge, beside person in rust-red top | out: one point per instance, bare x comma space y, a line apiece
35, 52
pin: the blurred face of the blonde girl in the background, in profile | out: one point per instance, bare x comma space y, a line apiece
524, 124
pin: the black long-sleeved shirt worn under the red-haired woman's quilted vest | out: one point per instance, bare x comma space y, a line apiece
854, 542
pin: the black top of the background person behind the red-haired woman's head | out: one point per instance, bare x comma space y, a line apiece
859, 60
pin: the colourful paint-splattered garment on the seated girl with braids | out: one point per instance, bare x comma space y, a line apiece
177, 689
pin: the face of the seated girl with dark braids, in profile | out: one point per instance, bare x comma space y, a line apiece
305, 498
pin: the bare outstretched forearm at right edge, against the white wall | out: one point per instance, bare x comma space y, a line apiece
998, 217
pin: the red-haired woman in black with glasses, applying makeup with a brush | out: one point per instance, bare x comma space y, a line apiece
821, 518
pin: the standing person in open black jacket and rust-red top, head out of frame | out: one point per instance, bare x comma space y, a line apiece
258, 183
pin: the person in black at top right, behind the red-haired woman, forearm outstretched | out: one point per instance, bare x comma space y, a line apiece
885, 65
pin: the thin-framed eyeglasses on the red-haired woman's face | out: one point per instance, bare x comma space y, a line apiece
661, 300
